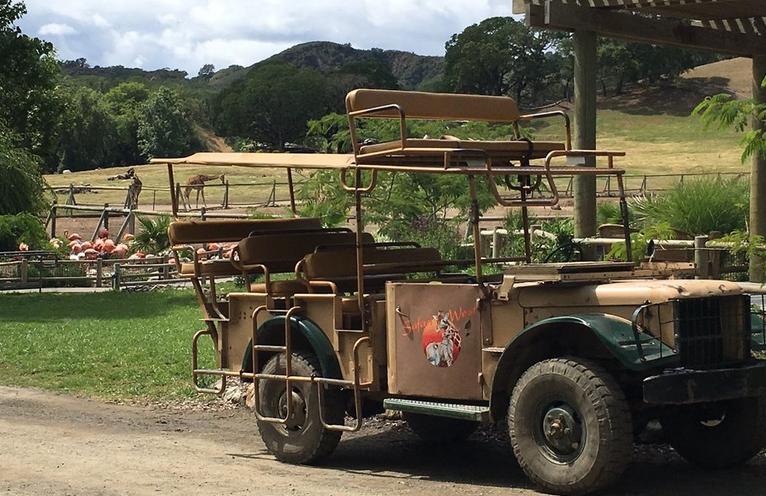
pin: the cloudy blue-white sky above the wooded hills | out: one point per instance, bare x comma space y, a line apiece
186, 34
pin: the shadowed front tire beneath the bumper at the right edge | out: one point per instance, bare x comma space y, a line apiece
717, 436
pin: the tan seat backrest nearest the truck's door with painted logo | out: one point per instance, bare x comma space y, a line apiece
340, 263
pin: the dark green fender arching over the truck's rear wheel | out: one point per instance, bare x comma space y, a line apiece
311, 332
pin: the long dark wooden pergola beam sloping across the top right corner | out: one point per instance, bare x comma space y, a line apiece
613, 24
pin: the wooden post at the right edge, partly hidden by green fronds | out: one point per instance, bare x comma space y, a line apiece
758, 175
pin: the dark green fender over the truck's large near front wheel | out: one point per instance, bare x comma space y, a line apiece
615, 333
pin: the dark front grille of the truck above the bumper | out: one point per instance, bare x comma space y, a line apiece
712, 332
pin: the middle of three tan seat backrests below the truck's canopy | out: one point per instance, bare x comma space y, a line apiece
281, 252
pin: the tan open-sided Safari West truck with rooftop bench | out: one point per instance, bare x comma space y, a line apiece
571, 359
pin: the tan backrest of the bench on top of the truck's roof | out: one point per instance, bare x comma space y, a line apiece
435, 106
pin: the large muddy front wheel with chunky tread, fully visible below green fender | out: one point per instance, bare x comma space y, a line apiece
570, 426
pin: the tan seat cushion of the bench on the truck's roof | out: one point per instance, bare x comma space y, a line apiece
420, 148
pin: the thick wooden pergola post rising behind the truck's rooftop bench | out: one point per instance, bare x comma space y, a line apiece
585, 44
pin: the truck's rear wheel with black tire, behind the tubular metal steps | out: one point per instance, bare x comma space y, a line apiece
303, 440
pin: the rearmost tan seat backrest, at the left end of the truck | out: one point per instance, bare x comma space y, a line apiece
208, 231
